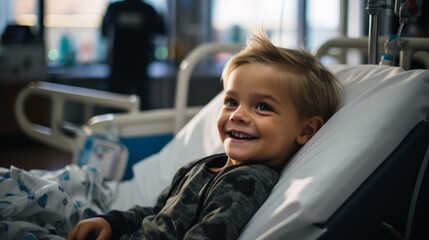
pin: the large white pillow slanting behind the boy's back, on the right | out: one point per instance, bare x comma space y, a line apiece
382, 104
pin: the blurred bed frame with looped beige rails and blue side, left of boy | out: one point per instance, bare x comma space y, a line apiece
132, 129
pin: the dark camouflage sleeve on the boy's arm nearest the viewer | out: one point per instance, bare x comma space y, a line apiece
231, 200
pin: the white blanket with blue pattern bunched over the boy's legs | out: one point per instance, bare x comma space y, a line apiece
40, 204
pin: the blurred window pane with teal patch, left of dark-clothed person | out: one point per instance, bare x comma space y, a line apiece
72, 30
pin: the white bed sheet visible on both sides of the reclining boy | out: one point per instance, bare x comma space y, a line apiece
381, 105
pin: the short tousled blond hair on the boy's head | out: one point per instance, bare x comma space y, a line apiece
315, 91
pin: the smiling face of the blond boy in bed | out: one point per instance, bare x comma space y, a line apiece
258, 121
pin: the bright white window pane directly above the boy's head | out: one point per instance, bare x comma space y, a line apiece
233, 20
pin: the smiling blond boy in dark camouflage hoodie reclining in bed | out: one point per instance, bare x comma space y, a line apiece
275, 100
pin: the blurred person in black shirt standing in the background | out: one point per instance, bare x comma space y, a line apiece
130, 27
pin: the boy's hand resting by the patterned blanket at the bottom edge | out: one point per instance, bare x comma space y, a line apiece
96, 228
